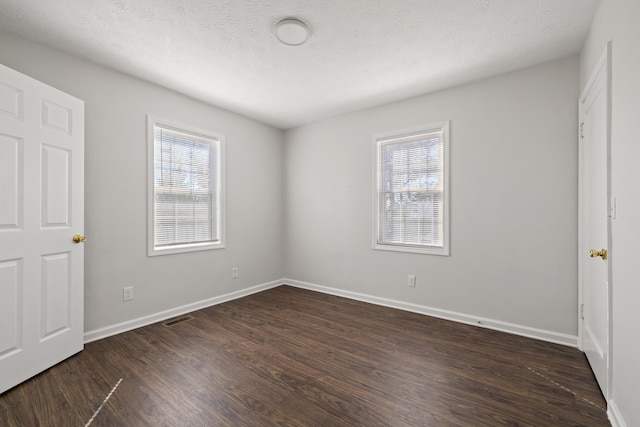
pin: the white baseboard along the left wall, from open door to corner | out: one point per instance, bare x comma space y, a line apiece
167, 314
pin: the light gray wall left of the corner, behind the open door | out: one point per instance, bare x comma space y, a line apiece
116, 218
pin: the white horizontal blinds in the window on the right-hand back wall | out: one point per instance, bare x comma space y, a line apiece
410, 190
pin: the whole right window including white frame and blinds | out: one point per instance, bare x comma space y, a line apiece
411, 197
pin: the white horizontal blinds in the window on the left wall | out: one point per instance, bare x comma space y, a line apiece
186, 198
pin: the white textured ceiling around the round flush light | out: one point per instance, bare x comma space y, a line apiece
361, 53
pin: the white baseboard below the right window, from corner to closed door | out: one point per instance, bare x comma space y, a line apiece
540, 334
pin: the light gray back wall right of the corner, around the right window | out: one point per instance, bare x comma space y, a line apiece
514, 202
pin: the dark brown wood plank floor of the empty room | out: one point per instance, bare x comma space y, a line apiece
291, 357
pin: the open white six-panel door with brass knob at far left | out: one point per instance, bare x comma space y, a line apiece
41, 209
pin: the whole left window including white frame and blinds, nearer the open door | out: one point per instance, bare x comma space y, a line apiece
186, 198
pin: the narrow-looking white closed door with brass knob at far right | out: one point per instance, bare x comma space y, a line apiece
594, 233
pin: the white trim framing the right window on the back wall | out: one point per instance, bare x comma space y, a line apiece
444, 127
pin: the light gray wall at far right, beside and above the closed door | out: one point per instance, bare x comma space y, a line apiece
618, 21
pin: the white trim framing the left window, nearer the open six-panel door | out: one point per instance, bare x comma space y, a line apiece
152, 250
